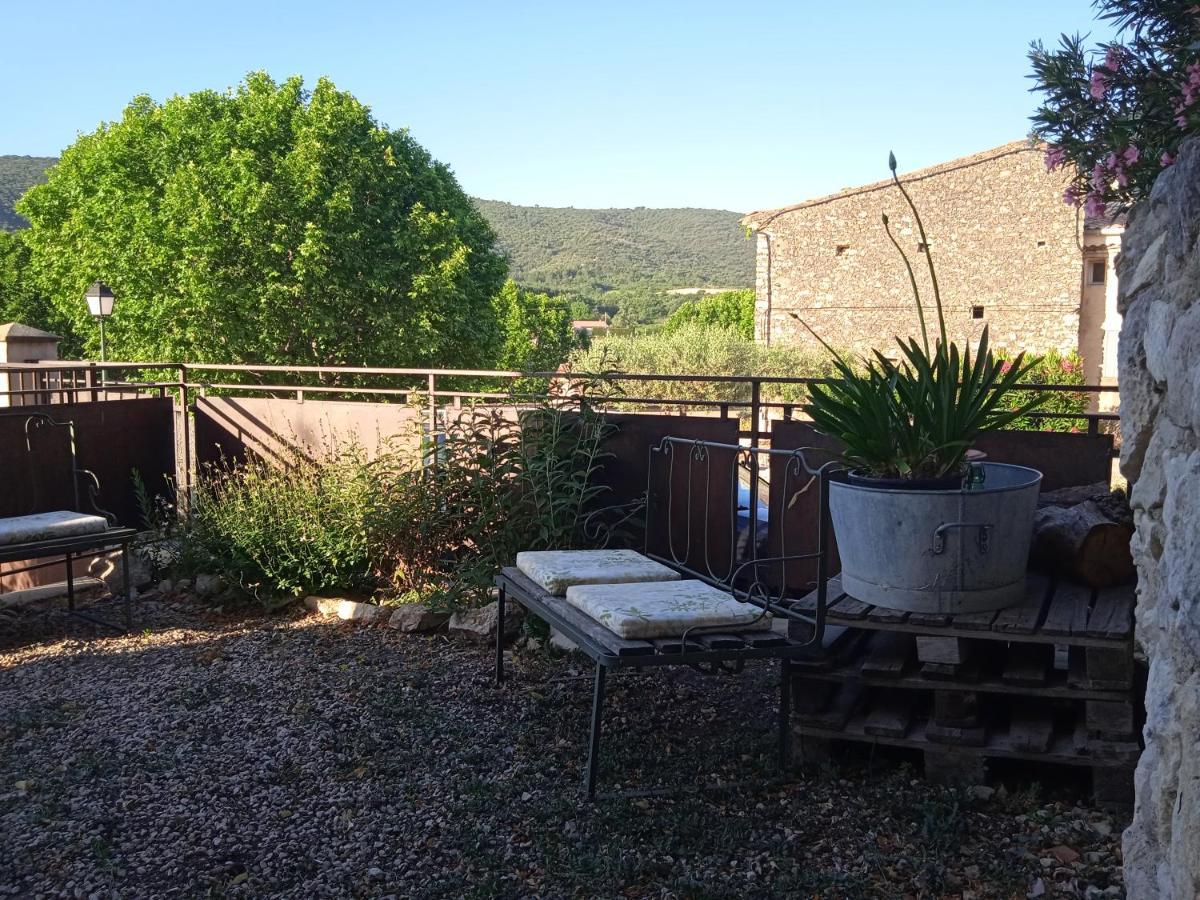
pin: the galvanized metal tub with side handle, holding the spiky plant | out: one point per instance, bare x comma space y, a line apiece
938, 551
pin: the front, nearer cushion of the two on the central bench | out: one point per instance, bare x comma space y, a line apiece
646, 611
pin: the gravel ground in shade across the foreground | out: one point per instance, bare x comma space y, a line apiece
243, 755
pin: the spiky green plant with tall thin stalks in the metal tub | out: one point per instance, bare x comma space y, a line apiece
916, 418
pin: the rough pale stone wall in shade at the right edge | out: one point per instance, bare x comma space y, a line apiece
1160, 374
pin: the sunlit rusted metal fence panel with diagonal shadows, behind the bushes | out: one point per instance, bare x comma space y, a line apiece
275, 429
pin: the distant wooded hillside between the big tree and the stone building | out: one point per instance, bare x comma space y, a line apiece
595, 250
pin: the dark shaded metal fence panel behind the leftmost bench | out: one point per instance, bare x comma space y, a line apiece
113, 440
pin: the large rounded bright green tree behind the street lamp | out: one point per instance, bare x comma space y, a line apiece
267, 225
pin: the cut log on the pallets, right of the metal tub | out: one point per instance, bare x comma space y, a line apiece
1083, 544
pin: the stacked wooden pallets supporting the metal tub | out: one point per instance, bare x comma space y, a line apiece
1052, 680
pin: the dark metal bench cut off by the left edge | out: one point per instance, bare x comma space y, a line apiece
70, 535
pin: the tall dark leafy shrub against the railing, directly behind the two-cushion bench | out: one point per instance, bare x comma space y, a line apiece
501, 482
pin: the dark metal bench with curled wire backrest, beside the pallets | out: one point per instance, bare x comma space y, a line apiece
694, 529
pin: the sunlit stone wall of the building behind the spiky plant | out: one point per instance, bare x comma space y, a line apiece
1001, 238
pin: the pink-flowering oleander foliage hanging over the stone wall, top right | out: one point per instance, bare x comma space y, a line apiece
1114, 116
